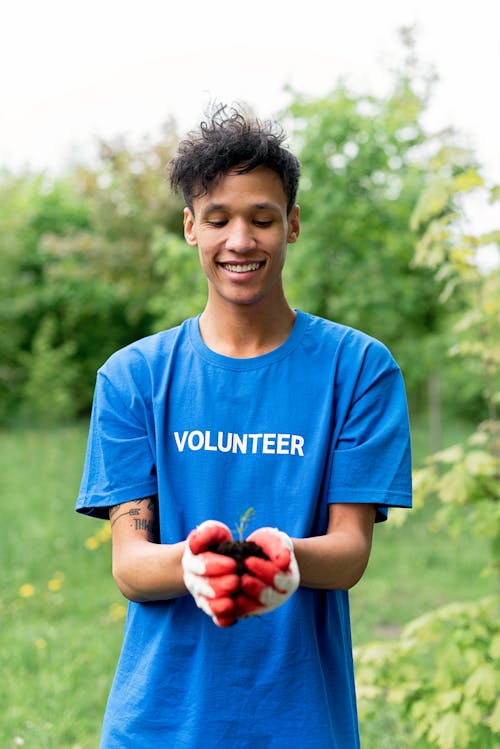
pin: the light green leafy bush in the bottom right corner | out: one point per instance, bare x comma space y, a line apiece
442, 674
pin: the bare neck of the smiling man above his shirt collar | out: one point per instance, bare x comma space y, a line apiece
246, 330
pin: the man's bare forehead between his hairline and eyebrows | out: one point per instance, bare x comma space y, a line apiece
261, 186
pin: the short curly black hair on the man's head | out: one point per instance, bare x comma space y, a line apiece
231, 141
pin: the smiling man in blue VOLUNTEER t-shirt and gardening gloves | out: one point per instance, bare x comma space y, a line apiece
249, 405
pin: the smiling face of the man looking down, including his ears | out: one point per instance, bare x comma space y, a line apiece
242, 229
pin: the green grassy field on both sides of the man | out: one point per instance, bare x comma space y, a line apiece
61, 615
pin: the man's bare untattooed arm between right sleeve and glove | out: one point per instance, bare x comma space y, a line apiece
338, 559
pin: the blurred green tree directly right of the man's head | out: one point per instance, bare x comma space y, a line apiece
364, 165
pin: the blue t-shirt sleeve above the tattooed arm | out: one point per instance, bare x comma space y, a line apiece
119, 462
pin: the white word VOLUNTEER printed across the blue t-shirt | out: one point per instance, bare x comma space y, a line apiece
268, 443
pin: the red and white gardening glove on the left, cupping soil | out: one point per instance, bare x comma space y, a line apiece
211, 578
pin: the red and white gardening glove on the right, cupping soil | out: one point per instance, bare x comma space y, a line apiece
272, 581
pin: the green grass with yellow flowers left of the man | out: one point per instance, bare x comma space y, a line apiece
60, 632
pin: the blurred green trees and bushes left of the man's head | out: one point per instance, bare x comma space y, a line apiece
78, 250
